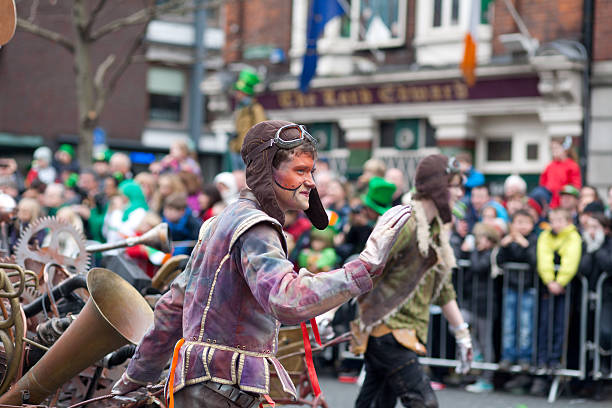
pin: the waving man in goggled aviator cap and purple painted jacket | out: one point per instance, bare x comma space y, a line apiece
224, 311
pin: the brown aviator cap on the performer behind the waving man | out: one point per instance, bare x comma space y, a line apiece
431, 180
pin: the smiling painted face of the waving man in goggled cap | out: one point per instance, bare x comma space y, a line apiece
293, 182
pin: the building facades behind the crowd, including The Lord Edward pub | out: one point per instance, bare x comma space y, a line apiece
388, 83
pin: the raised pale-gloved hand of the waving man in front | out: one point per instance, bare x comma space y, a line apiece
384, 235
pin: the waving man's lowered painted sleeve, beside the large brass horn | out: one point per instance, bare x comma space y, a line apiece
155, 349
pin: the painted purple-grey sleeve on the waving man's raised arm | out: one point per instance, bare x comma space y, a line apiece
290, 297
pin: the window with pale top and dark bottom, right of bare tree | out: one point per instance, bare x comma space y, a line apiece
166, 88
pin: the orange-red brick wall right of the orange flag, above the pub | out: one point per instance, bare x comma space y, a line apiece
546, 20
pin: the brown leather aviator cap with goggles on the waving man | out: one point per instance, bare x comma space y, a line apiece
260, 145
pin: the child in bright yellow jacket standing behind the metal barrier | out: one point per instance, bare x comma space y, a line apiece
559, 248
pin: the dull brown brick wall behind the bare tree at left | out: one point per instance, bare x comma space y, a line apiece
37, 78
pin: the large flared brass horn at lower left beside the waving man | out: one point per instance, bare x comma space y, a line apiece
115, 314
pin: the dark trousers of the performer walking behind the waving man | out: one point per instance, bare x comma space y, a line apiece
393, 371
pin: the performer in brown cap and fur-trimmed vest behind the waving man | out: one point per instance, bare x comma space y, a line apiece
394, 316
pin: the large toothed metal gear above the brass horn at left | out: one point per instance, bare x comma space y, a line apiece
35, 257
